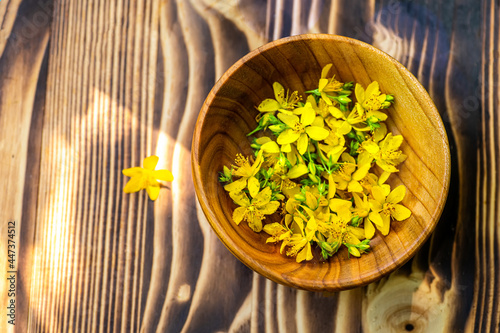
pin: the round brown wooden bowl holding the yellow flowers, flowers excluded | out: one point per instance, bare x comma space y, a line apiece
228, 114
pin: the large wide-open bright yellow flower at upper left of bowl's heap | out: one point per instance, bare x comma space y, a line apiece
300, 130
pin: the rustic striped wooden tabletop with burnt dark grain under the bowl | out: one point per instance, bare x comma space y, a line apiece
88, 88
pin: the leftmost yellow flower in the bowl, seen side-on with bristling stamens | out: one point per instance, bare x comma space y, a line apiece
247, 172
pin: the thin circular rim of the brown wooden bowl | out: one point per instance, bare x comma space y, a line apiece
262, 269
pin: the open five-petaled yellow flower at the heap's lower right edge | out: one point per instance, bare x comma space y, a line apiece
386, 206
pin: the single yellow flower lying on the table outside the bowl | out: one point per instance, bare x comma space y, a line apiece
146, 178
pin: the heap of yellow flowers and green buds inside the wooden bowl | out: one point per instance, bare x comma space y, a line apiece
313, 164
